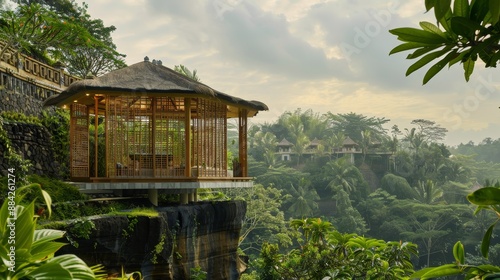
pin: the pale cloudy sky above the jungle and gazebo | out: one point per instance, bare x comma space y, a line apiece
324, 55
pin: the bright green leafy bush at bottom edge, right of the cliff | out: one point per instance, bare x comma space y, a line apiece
325, 253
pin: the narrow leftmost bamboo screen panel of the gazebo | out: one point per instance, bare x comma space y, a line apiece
79, 137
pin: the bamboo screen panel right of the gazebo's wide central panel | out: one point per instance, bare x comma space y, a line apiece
209, 139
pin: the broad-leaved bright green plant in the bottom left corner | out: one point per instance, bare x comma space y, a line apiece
27, 253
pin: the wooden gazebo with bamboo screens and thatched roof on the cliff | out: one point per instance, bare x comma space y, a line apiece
148, 127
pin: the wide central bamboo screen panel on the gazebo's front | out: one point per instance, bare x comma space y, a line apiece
145, 136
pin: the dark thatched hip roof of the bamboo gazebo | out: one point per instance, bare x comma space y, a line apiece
146, 78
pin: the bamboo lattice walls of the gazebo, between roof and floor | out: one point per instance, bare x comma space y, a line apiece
146, 137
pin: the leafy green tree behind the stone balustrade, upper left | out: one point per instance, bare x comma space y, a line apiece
60, 31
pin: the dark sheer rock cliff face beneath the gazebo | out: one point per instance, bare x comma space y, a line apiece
203, 235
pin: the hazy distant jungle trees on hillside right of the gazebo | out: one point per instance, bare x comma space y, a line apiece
410, 187
